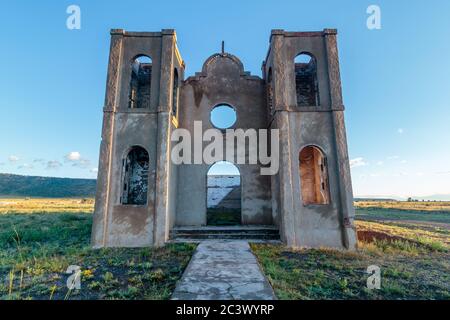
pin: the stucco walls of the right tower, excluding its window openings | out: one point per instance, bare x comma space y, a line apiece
310, 225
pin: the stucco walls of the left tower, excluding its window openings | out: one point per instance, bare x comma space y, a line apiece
135, 225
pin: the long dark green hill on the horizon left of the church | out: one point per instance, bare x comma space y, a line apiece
12, 185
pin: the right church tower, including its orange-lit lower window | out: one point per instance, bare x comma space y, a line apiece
312, 199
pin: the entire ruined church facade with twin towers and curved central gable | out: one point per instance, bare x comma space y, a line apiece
143, 196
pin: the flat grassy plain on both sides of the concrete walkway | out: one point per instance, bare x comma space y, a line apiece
41, 238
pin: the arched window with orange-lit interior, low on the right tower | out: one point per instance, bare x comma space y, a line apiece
313, 176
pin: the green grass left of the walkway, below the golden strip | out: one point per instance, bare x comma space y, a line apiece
37, 248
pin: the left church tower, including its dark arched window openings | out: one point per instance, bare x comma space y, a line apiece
141, 106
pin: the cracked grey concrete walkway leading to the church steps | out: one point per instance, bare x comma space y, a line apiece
223, 270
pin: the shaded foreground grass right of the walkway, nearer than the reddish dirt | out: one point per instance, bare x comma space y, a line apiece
330, 274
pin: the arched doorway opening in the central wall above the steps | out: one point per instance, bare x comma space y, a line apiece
223, 199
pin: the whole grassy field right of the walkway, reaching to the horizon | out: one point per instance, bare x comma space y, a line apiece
409, 241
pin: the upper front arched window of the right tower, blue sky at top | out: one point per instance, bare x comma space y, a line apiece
306, 86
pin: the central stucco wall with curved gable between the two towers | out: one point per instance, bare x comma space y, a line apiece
223, 81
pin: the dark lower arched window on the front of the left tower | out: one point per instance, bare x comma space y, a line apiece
135, 177
